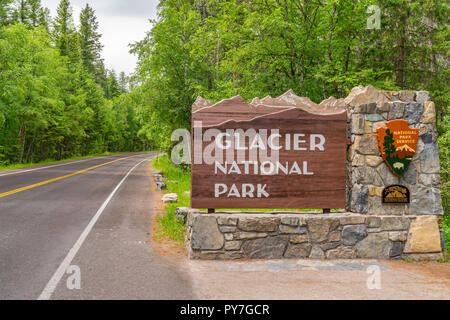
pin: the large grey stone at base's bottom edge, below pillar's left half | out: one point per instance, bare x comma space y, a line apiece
375, 246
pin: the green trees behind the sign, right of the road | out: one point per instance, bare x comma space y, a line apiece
219, 49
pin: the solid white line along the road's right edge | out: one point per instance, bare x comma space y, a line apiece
56, 278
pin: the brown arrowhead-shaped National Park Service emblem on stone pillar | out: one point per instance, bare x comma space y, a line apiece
398, 145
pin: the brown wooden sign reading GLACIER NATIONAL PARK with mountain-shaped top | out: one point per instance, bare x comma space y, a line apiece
272, 153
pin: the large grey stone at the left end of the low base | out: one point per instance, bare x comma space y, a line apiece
206, 234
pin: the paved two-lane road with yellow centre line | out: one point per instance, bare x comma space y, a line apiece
91, 213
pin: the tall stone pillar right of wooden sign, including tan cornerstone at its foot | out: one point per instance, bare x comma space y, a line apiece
369, 109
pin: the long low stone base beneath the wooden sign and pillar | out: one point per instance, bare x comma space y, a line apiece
230, 236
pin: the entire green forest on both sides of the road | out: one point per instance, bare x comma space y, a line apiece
57, 99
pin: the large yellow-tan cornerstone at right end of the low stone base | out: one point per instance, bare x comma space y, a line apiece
424, 236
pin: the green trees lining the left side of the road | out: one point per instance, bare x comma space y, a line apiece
57, 100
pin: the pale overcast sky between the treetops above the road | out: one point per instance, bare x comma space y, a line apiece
121, 22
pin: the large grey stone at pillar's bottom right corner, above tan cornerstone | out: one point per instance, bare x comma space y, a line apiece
426, 200
